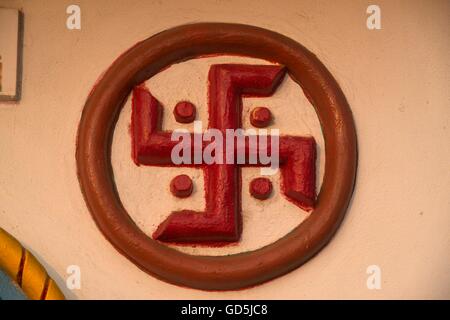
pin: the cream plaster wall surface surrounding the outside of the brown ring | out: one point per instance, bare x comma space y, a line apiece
396, 80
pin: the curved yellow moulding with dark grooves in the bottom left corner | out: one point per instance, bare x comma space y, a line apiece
28, 273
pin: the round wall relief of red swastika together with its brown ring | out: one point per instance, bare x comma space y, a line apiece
151, 147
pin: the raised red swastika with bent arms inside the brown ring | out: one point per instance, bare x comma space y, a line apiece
221, 222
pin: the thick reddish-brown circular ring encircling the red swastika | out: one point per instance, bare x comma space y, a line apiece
215, 272
